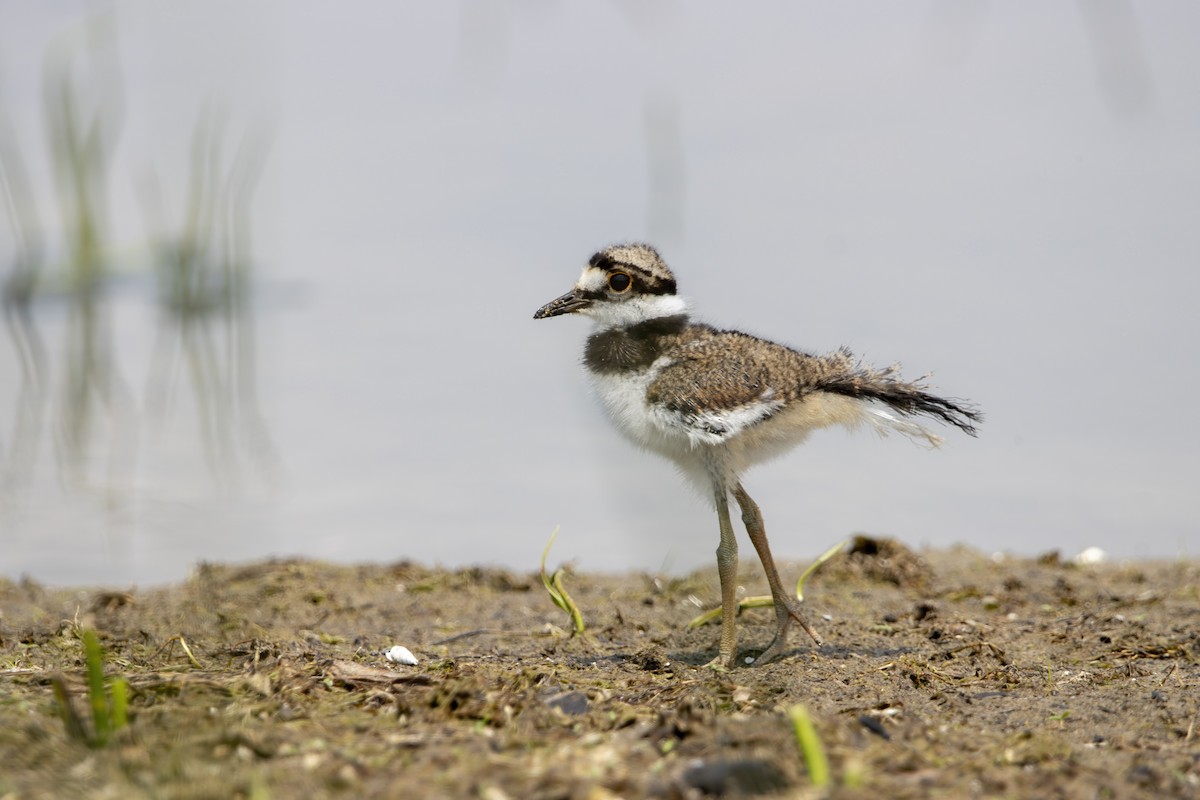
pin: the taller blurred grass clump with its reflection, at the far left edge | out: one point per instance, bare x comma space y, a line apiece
83, 115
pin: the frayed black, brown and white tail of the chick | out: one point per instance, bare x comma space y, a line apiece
853, 378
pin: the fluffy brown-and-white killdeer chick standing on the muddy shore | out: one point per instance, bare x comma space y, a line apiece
717, 402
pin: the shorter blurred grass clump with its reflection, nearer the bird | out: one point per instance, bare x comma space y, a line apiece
203, 270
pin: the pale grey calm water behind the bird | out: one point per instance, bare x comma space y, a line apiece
302, 321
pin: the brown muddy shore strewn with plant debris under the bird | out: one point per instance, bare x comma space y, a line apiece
944, 676
